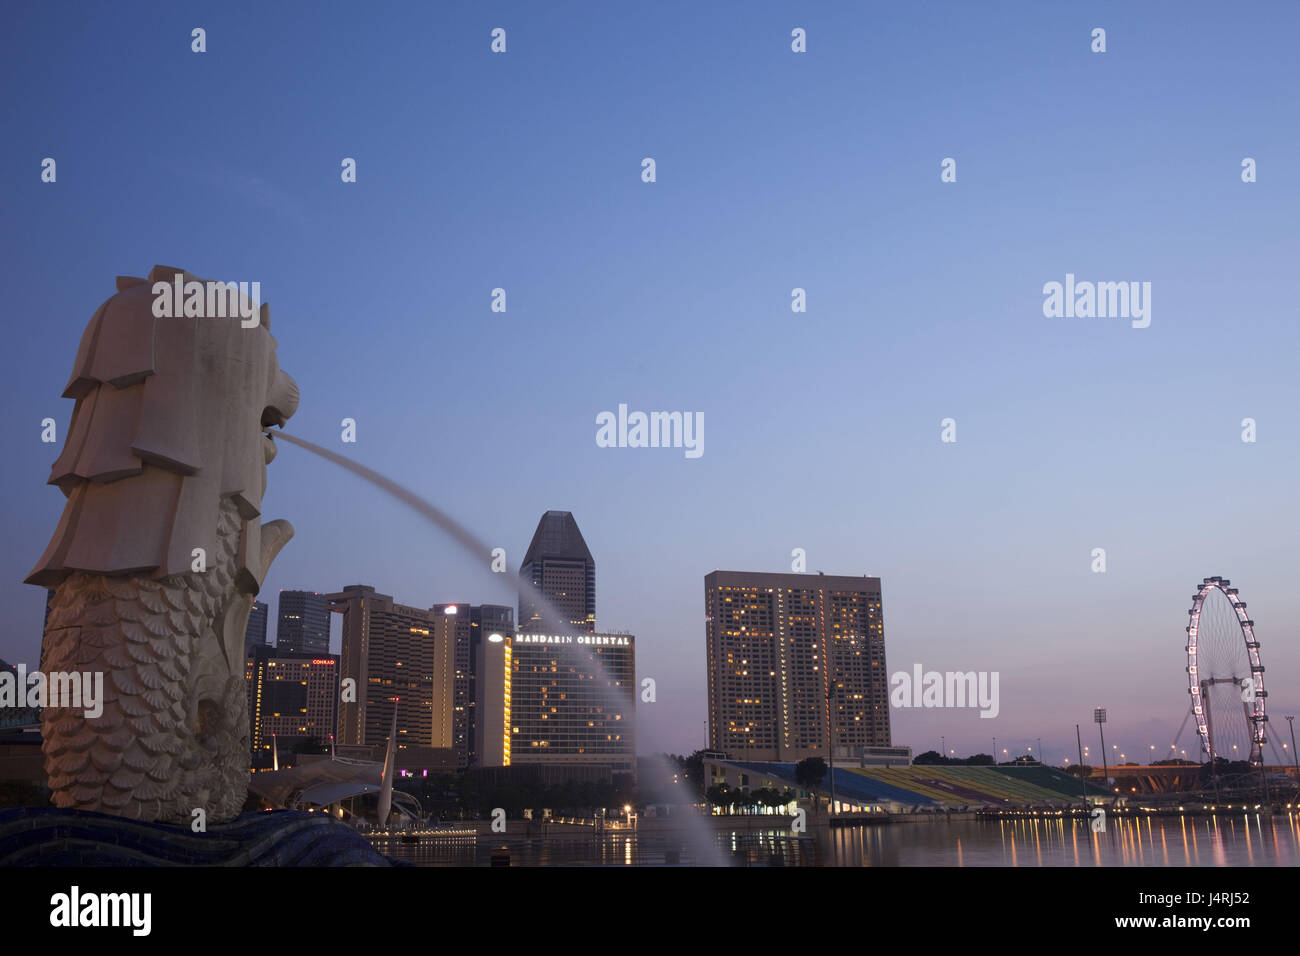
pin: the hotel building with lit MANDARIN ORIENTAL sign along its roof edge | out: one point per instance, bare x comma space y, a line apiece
574, 700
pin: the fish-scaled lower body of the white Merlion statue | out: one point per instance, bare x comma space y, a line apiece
174, 734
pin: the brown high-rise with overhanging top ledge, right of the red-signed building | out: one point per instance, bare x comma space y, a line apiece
392, 656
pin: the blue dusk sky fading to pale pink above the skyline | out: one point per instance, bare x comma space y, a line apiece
774, 171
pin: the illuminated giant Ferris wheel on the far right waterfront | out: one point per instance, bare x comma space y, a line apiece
1225, 676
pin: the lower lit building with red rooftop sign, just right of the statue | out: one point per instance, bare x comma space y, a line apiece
293, 699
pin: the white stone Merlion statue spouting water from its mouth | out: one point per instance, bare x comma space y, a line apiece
161, 551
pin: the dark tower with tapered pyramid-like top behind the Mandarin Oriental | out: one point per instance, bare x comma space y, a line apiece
558, 565
